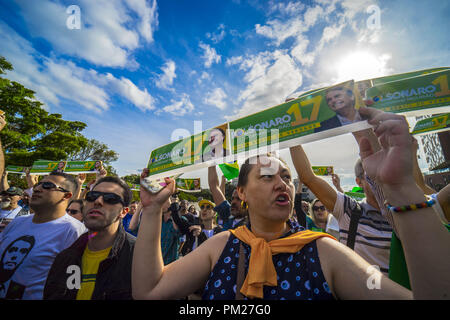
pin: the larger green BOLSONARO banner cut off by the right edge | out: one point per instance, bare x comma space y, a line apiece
417, 95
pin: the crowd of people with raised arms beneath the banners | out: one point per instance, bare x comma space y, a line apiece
58, 241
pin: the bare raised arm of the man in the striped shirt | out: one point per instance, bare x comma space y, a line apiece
323, 191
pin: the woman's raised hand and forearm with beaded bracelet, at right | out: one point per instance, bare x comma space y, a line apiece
420, 229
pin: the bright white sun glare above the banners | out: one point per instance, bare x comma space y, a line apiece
361, 65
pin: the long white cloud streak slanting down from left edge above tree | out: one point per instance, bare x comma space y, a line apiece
56, 79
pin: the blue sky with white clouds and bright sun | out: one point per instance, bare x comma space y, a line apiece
137, 70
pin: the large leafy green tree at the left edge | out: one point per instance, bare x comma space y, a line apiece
31, 132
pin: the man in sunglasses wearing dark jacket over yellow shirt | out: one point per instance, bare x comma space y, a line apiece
98, 265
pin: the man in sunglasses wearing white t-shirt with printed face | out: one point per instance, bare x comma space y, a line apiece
49, 231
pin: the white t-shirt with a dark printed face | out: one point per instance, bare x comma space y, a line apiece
27, 251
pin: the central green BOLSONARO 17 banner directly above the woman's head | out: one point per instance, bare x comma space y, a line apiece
319, 113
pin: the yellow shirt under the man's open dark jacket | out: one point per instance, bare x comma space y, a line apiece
89, 268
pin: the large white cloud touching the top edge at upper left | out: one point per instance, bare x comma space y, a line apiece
108, 33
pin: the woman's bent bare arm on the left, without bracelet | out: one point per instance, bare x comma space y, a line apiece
150, 278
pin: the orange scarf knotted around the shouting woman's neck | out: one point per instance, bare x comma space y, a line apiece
261, 270
